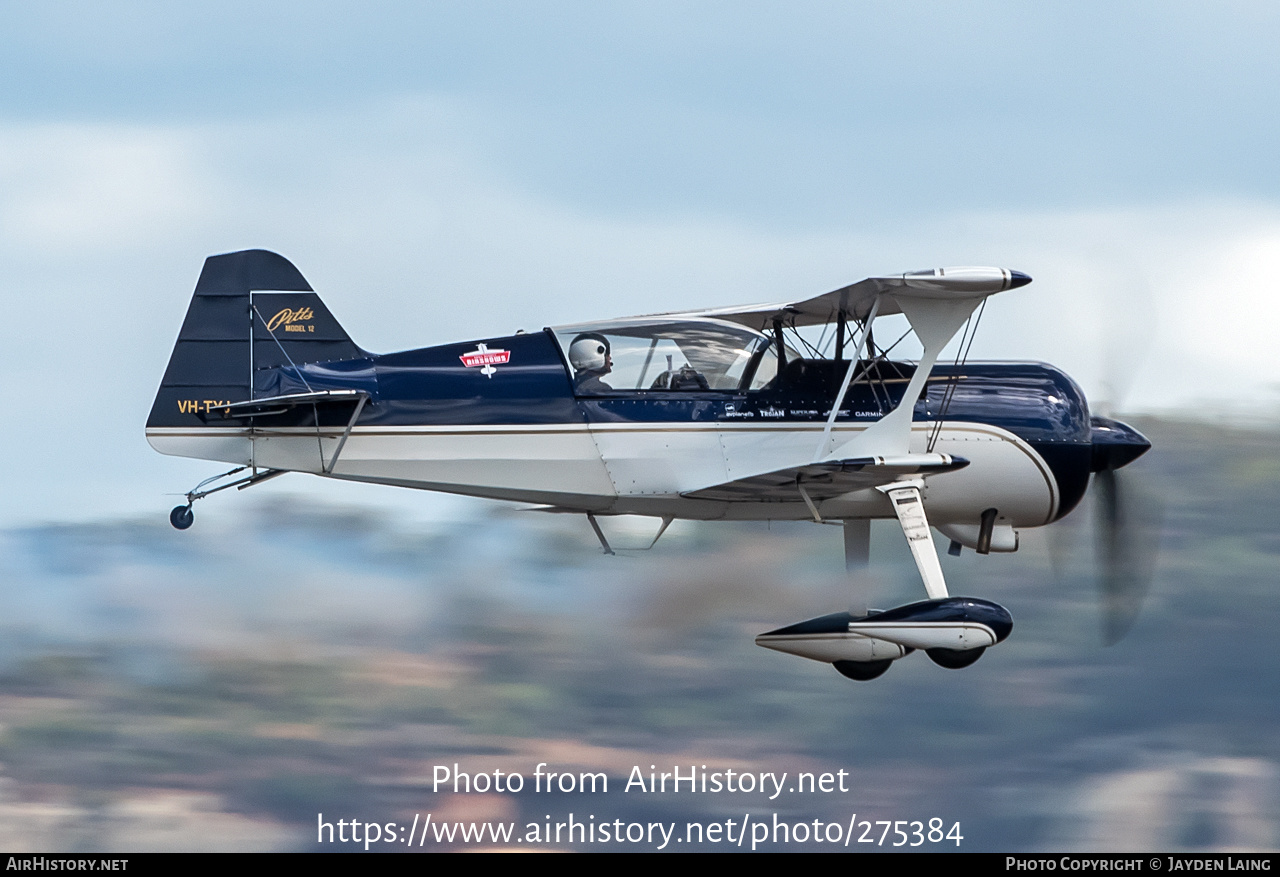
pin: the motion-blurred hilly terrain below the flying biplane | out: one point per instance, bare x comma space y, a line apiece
218, 688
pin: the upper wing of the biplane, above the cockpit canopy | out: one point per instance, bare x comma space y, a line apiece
857, 299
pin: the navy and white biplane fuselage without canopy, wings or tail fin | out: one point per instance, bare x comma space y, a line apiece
500, 419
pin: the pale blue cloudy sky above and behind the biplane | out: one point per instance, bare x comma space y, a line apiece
444, 172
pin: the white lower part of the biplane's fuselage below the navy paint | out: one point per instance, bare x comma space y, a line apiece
636, 468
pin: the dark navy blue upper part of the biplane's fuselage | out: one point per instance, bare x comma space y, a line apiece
527, 381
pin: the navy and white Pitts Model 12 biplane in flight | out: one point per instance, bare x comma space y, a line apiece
780, 412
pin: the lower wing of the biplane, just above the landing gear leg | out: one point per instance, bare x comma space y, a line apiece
828, 479
